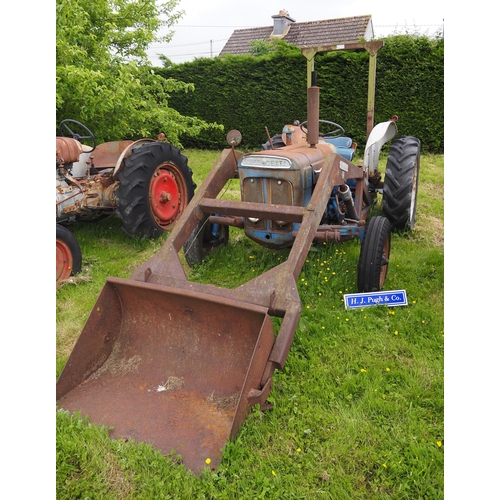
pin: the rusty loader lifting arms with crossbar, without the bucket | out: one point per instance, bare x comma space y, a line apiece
275, 289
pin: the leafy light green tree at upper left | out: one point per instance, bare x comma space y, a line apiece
103, 77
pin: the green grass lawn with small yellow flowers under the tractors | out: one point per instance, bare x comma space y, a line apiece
358, 408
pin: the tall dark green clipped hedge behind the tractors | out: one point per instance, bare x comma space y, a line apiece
249, 93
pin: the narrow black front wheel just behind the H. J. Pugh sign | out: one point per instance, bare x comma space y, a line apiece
374, 256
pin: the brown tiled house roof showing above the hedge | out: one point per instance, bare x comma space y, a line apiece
307, 34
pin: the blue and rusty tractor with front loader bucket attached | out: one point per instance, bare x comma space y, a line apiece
179, 364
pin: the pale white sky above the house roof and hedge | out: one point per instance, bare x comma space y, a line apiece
207, 25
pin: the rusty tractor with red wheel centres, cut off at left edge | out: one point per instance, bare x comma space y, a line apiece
147, 183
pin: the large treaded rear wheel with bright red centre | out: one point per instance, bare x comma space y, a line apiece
155, 186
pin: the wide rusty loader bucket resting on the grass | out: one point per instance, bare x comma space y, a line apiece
170, 367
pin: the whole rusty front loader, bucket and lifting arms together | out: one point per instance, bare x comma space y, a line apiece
178, 364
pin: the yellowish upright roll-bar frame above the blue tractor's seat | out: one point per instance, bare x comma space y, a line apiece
372, 48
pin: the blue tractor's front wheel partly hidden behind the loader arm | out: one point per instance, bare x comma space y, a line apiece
205, 238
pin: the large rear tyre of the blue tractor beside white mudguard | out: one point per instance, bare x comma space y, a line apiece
399, 202
